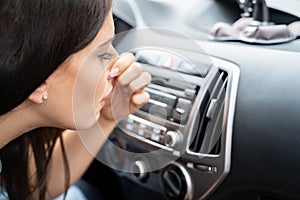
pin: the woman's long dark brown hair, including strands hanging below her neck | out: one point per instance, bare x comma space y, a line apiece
36, 36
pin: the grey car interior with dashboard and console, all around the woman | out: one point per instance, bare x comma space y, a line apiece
223, 119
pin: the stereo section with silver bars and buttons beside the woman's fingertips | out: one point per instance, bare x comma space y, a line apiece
170, 99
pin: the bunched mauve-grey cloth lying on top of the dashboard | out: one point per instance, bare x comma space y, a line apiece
247, 30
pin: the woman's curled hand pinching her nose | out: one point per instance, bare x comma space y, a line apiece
128, 94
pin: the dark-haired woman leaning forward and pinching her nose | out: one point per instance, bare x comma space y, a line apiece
61, 84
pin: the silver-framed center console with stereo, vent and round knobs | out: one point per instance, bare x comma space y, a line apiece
181, 139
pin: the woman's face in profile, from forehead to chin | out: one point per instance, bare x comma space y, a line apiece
76, 91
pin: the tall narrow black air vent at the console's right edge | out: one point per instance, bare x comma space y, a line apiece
207, 139
